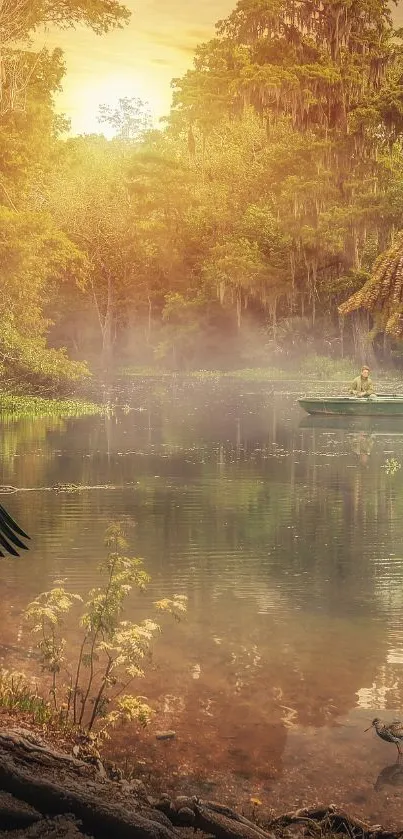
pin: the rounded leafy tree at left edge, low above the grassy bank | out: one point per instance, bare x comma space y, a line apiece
34, 256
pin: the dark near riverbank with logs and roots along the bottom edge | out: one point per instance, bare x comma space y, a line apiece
59, 789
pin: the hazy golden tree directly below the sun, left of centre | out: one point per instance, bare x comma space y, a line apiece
122, 204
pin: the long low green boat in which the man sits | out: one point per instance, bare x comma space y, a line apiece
352, 406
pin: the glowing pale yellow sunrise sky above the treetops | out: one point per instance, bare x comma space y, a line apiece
139, 60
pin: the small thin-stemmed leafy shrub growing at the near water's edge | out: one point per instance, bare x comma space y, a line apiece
112, 651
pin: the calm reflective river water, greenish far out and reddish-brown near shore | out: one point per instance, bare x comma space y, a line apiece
287, 536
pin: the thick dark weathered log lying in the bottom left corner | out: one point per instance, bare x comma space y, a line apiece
56, 784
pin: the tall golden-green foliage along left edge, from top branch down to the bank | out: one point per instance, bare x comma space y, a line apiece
36, 257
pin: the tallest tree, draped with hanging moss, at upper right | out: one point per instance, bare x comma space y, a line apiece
324, 80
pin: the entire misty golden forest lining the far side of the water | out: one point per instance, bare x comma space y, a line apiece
260, 220
